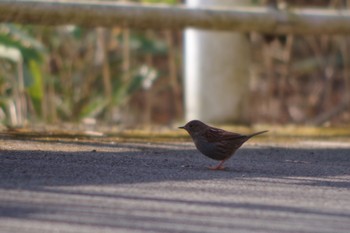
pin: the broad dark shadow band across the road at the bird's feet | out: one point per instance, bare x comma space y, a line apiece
151, 164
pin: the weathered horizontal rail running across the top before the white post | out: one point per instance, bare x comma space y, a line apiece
156, 16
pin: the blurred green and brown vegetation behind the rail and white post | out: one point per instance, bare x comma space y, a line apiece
57, 74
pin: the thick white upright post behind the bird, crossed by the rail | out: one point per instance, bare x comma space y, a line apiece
216, 71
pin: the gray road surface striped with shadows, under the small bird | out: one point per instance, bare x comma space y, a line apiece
165, 187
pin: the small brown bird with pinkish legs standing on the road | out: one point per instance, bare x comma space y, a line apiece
216, 143
